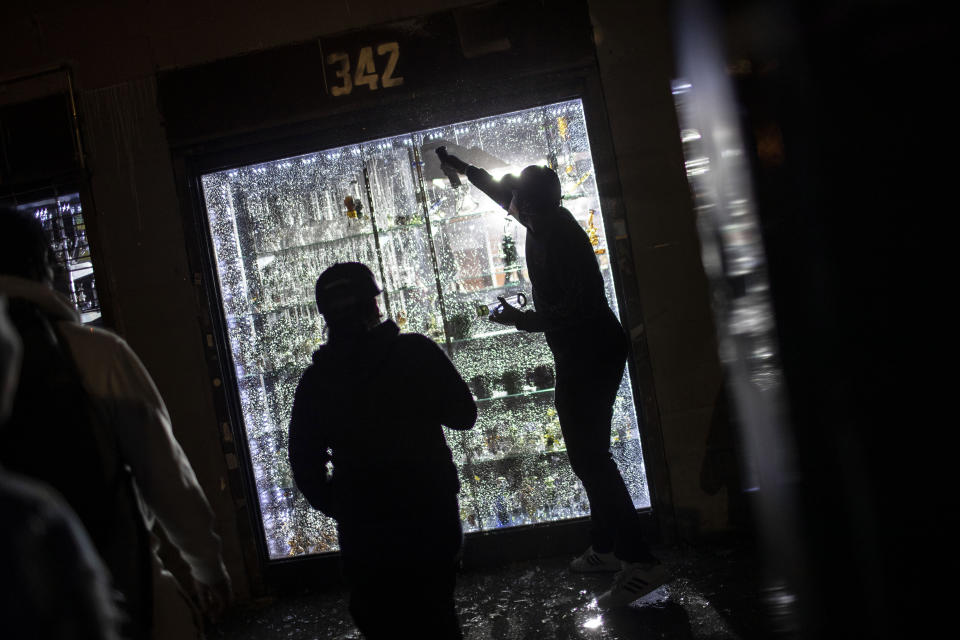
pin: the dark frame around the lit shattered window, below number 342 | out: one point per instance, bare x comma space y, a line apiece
453, 103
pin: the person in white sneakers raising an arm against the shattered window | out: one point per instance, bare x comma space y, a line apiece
590, 352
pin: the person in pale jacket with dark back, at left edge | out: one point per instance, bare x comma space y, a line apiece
128, 432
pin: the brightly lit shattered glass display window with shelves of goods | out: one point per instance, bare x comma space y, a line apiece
443, 252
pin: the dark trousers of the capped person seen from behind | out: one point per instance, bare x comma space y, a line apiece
402, 574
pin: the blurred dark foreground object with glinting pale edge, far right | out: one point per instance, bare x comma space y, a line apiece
802, 126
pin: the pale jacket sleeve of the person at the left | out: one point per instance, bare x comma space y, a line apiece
163, 474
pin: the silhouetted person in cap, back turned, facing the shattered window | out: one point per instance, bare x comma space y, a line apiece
372, 404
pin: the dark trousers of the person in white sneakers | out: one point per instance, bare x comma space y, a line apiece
588, 378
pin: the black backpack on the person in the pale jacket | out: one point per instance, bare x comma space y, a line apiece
57, 434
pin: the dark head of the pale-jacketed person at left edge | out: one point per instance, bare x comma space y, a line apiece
24, 250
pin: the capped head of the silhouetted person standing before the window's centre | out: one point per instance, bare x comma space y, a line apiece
347, 298
